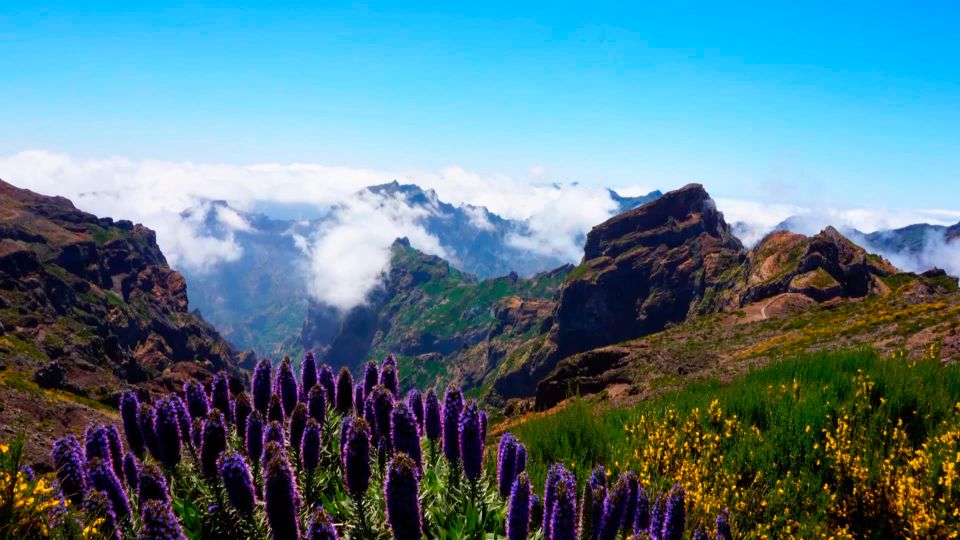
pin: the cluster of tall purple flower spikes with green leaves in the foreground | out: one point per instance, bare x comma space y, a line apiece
314, 455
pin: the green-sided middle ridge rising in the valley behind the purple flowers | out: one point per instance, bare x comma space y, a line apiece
433, 317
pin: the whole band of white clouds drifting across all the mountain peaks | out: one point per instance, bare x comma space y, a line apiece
348, 255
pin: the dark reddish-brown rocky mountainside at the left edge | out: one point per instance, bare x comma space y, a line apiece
88, 306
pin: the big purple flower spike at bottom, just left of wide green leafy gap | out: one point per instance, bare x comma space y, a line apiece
401, 493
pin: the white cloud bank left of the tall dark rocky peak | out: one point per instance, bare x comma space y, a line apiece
156, 192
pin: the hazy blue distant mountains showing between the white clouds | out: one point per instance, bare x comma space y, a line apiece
259, 301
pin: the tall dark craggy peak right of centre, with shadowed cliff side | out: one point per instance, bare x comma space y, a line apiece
642, 270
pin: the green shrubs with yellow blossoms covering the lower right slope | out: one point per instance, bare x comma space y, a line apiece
843, 445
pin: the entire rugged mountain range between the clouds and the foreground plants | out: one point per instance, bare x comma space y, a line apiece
665, 292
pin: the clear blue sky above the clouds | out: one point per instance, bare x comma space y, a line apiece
808, 103
